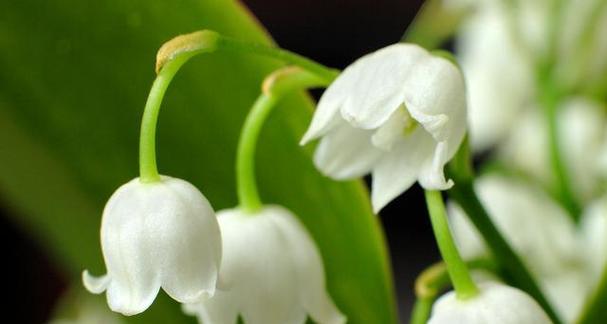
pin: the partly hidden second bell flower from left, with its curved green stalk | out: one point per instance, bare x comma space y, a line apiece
271, 272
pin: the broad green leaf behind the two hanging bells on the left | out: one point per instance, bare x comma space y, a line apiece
73, 82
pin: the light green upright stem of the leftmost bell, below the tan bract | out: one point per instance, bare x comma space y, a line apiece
148, 171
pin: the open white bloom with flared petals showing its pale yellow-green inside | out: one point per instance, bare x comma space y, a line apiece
399, 113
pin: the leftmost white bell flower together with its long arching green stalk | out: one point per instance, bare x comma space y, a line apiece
159, 231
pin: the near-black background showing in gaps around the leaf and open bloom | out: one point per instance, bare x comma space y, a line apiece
331, 32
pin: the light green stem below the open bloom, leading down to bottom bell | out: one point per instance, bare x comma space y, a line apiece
458, 271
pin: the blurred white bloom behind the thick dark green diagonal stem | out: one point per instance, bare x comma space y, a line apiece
539, 230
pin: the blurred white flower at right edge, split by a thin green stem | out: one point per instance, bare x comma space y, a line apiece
581, 124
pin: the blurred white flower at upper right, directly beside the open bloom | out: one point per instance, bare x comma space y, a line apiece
498, 73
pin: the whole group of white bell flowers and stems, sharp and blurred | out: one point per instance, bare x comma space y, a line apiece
401, 114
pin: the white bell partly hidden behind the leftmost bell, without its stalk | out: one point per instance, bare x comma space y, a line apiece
271, 273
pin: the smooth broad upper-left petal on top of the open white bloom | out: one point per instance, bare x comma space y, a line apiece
376, 84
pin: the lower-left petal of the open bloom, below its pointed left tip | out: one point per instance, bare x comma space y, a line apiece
346, 153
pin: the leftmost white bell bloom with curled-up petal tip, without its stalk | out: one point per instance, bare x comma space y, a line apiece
160, 234
